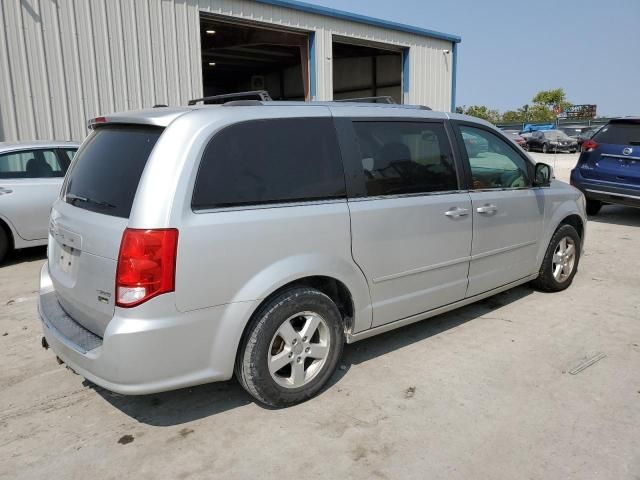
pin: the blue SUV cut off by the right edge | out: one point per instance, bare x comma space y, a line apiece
608, 170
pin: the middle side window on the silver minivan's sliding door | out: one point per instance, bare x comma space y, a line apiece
405, 157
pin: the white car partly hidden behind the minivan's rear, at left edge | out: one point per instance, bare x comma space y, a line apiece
31, 175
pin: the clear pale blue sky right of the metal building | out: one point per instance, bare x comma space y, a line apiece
510, 50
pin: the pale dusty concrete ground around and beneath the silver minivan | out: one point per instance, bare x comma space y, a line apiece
482, 392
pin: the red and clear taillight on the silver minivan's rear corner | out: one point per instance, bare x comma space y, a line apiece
146, 265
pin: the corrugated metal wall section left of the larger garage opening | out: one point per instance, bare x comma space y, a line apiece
65, 61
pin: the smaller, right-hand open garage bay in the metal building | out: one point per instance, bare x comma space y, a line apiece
366, 71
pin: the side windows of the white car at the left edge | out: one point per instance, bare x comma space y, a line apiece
30, 164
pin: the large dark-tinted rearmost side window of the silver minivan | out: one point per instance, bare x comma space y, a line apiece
267, 161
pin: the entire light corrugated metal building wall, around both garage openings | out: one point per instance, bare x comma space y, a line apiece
65, 61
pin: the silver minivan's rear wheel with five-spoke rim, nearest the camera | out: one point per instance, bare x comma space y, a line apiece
291, 348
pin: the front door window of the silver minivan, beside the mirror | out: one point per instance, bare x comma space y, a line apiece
494, 163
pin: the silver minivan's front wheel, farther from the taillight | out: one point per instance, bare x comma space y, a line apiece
560, 262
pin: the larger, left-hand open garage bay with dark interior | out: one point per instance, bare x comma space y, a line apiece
241, 57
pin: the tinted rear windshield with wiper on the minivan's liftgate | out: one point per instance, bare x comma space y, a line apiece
107, 168
